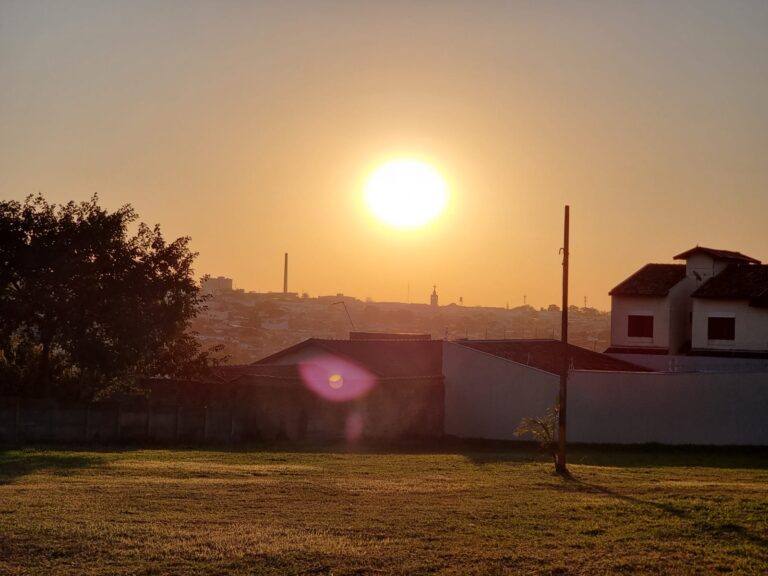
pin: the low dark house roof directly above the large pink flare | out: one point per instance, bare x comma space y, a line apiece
384, 358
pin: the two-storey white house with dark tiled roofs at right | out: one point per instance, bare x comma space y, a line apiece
714, 304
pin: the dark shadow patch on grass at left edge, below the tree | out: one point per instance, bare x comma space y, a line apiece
17, 463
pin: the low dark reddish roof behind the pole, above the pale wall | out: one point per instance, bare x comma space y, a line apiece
547, 355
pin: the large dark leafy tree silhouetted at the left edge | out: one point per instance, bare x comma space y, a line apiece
86, 305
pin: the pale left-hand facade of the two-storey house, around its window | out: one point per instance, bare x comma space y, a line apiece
623, 306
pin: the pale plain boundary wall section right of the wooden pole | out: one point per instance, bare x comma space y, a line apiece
679, 408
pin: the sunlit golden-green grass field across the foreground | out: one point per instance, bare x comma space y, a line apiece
322, 512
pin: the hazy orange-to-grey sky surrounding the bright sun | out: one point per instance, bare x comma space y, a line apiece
251, 127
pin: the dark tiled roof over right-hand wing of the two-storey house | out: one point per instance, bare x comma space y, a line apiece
738, 282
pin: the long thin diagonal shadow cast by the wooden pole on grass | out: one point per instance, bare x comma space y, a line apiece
704, 527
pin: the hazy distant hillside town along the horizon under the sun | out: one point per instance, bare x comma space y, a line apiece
252, 325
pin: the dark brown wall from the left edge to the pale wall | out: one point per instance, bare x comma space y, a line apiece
199, 412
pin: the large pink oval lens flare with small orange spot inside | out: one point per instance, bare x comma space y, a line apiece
336, 379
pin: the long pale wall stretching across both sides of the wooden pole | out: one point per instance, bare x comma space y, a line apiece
486, 397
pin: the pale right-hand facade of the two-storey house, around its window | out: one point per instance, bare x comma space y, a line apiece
751, 325
